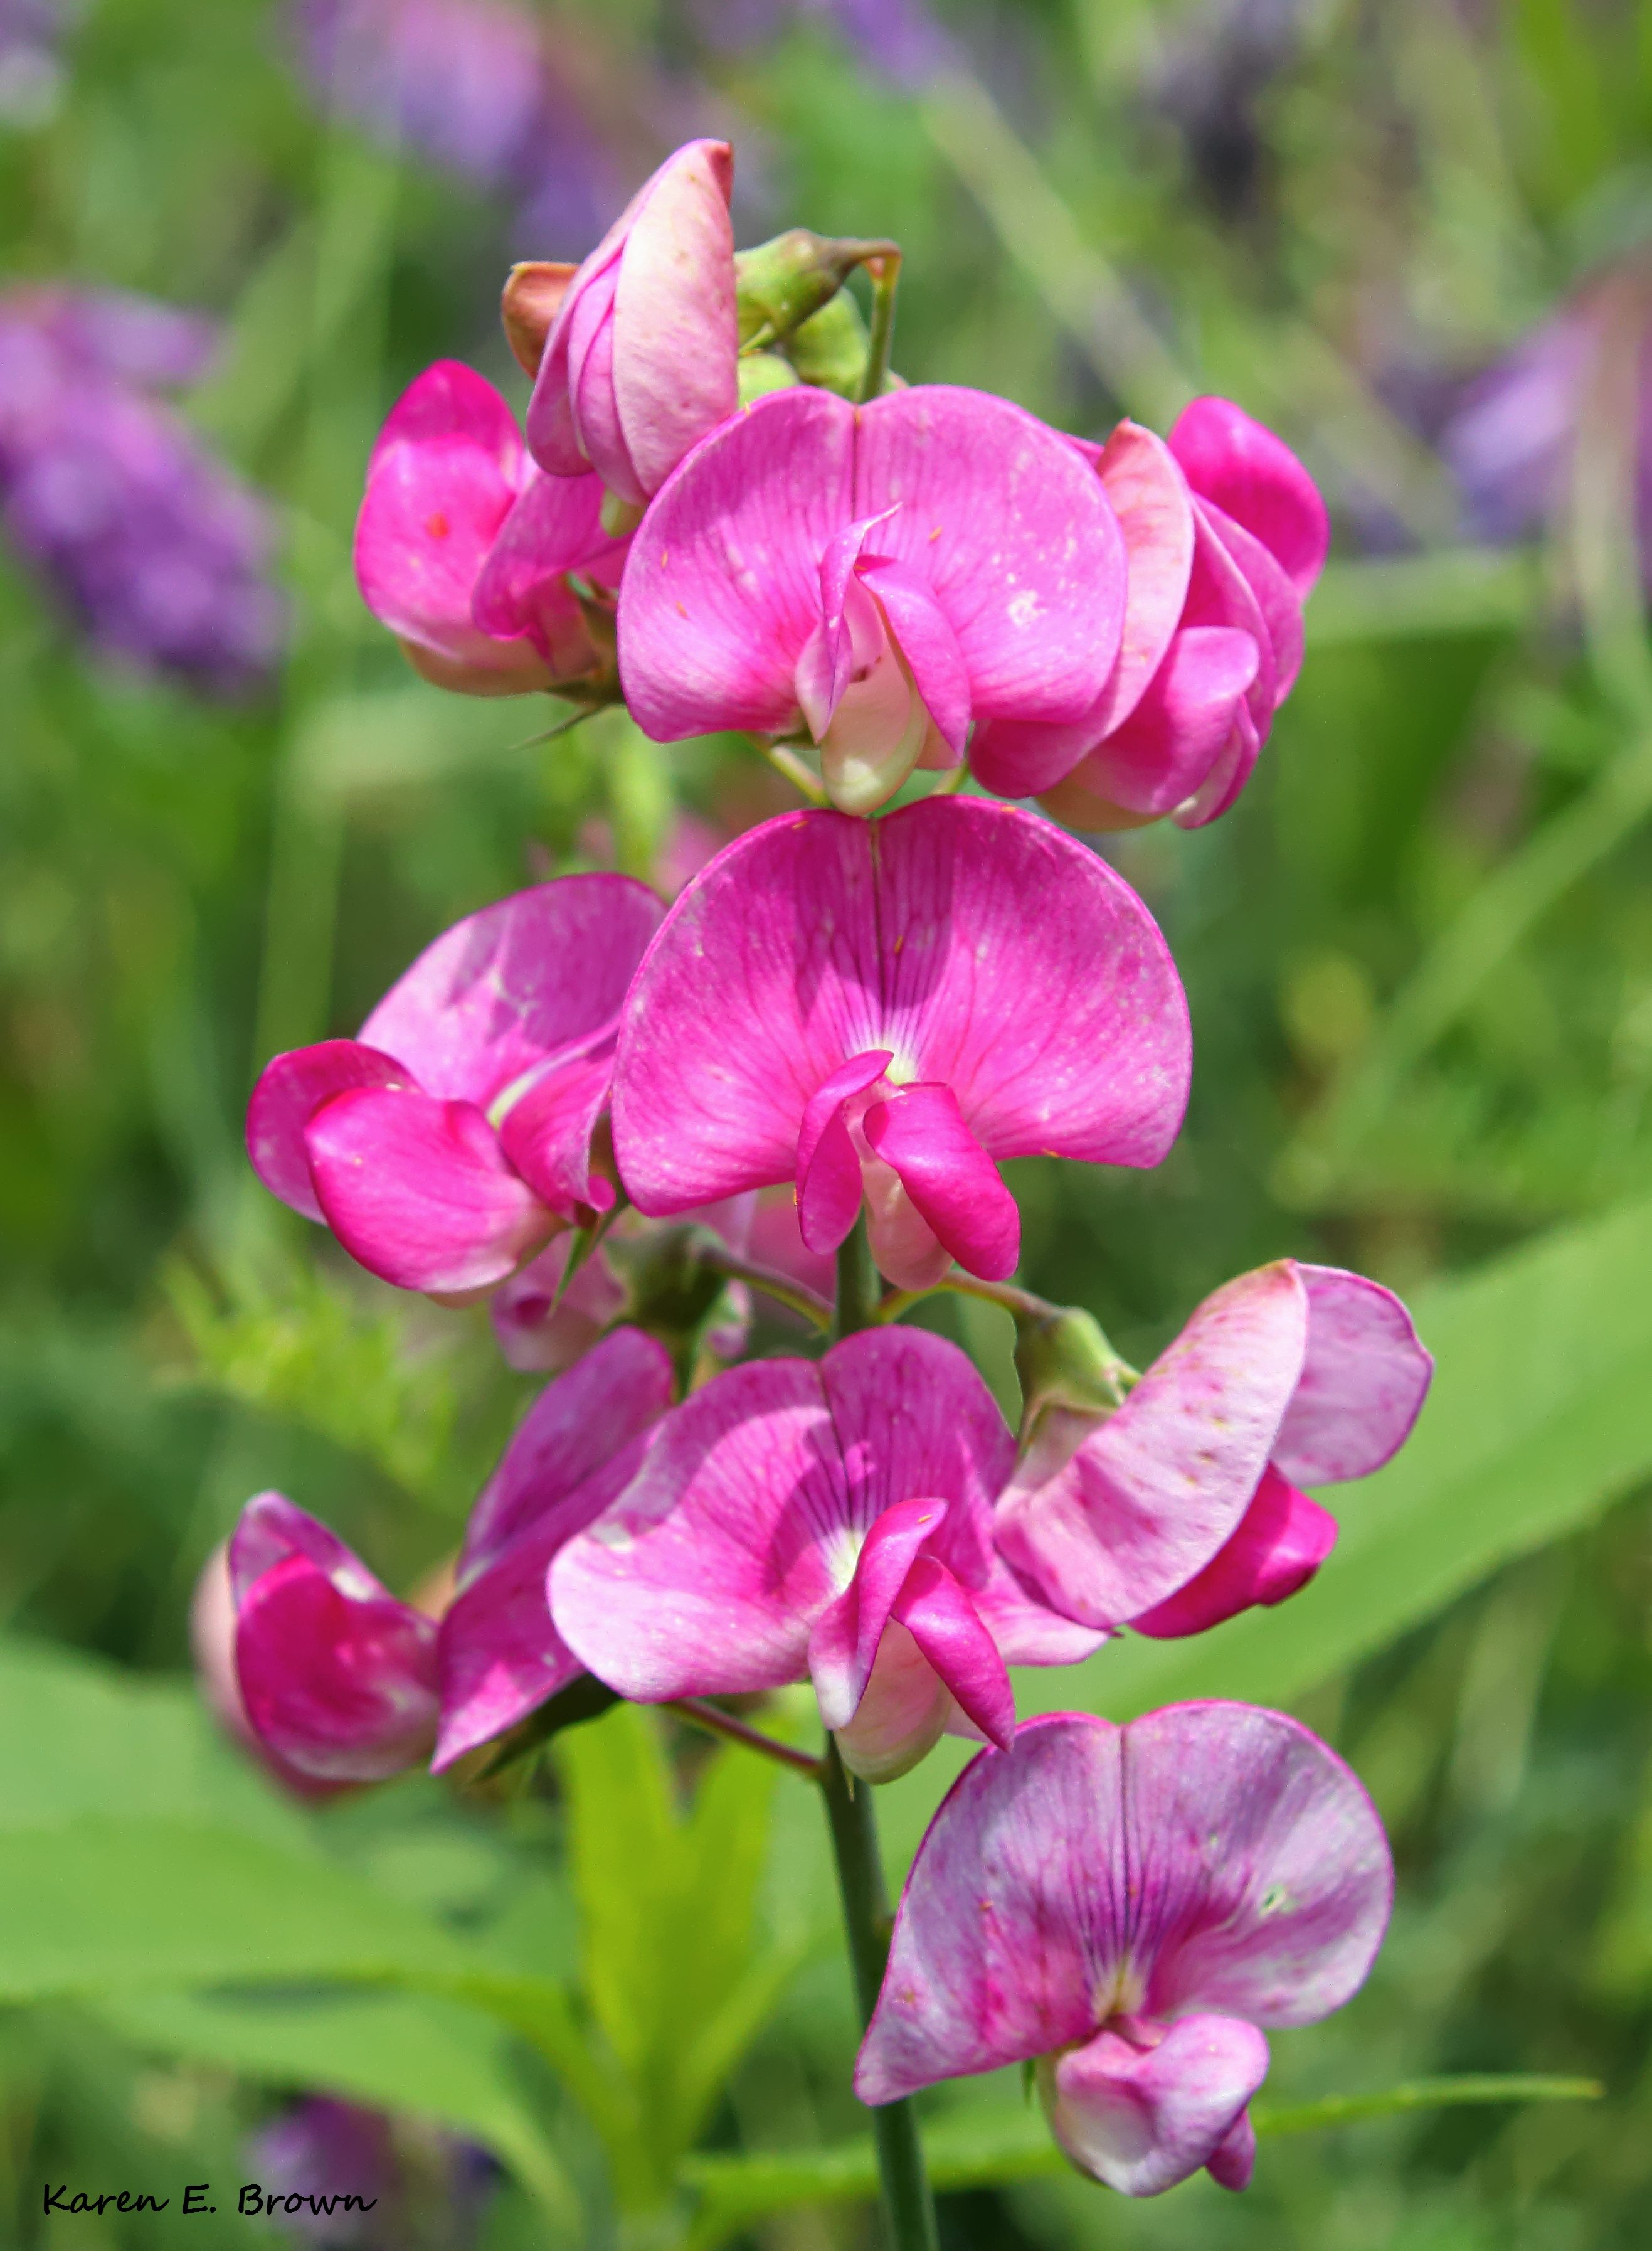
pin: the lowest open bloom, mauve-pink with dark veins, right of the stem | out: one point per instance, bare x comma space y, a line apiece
1126, 1908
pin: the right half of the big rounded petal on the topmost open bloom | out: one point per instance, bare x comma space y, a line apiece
1014, 537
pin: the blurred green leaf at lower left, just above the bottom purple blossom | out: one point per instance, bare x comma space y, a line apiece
397, 2052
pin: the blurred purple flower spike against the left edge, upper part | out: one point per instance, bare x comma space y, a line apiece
152, 544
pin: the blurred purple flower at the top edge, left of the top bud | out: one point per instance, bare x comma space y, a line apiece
469, 87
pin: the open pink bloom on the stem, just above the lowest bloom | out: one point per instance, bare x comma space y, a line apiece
832, 1521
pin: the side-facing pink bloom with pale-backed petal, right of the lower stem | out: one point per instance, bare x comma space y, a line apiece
1293, 1374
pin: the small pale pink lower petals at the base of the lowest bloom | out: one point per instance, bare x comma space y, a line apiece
1147, 2117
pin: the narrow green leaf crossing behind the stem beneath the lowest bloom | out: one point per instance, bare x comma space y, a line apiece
982, 2149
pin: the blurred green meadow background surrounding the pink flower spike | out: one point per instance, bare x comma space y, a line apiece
1419, 960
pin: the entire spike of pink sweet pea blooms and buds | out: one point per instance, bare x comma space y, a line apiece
575, 1102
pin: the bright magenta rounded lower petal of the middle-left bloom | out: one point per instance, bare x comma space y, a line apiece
420, 1192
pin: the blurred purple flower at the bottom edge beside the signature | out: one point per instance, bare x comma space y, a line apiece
424, 2191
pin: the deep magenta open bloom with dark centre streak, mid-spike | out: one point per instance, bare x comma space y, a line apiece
890, 1010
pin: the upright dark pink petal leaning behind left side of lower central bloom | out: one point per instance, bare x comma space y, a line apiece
571, 1433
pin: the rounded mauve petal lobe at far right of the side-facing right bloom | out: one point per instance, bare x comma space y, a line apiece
1363, 1383
